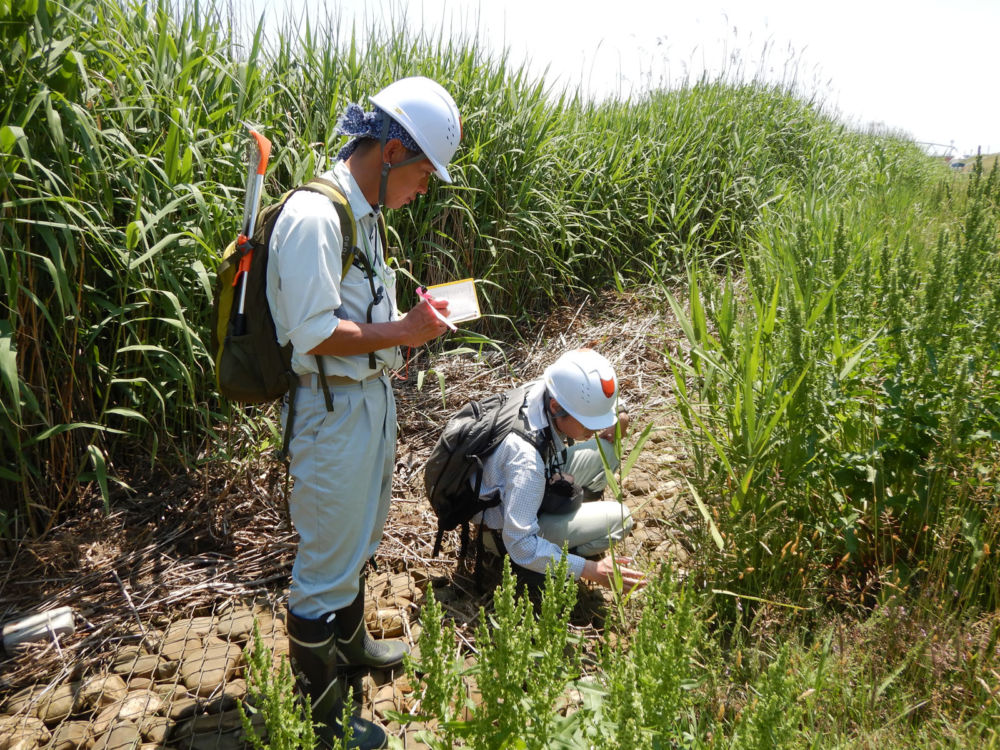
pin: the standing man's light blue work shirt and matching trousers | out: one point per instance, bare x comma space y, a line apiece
342, 460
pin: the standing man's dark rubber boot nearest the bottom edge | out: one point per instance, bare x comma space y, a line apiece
313, 655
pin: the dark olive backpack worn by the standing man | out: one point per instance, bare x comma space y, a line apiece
251, 367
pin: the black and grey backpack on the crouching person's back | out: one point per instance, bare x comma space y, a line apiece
453, 474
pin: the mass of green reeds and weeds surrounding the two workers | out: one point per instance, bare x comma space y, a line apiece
838, 382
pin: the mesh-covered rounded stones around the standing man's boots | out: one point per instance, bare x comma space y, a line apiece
179, 684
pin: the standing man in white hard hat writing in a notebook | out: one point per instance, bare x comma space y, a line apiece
345, 332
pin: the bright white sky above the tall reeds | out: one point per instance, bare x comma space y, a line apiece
925, 67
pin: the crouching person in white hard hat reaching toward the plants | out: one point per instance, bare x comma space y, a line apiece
549, 477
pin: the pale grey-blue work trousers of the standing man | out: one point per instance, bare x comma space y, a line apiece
342, 463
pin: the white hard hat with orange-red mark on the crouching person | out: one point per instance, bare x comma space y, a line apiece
585, 385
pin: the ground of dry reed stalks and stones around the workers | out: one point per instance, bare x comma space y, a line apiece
167, 588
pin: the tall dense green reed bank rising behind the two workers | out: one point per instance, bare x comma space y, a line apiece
121, 140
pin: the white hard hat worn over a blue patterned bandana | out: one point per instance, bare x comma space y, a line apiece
428, 113
